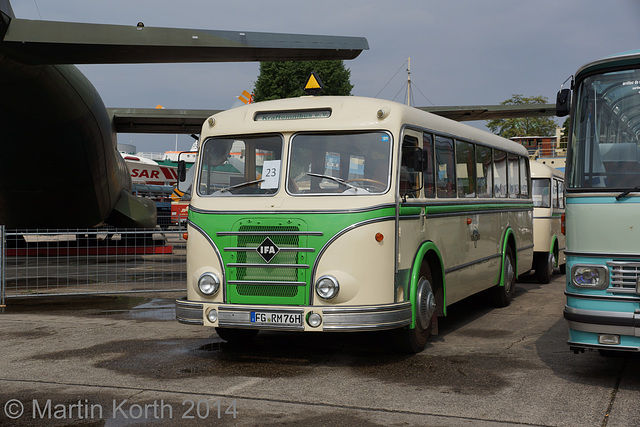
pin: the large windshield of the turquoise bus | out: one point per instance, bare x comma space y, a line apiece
606, 126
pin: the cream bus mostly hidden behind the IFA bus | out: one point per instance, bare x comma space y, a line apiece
547, 187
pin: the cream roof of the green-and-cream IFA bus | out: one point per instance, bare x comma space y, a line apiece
320, 113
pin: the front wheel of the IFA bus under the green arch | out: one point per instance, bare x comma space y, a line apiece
413, 340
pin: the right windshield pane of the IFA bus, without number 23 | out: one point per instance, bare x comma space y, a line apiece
346, 163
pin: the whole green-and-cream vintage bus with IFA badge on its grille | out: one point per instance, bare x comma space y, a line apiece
350, 214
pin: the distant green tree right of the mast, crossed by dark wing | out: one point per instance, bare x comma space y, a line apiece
523, 126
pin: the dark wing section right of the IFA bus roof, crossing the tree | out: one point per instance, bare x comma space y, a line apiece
490, 112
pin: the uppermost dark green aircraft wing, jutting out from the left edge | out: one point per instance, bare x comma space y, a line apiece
51, 42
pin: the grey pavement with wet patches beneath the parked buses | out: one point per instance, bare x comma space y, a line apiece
119, 361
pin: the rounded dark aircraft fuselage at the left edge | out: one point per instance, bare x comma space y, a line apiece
60, 165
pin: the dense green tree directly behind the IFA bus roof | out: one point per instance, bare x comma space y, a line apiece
286, 79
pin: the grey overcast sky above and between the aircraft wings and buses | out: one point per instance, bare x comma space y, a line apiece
463, 52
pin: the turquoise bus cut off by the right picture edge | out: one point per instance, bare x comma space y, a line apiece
603, 205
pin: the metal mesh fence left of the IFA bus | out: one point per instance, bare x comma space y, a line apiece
91, 261
